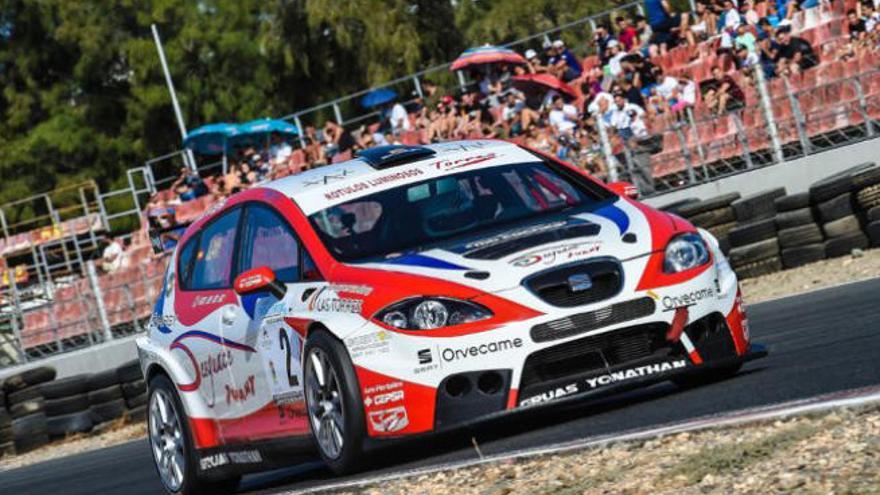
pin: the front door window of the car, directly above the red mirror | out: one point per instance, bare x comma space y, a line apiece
268, 240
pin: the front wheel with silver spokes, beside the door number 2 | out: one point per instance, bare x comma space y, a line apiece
333, 400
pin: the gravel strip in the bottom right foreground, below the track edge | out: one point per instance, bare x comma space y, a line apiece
837, 452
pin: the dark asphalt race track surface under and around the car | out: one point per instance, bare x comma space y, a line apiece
820, 342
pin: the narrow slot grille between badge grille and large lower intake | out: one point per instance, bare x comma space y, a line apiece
586, 322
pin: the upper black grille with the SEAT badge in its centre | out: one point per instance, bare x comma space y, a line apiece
552, 285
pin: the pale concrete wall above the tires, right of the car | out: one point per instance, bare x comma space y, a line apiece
796, 175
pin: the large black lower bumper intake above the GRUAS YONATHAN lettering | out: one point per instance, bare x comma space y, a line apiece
593, 353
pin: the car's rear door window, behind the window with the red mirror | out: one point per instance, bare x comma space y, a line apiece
213, 264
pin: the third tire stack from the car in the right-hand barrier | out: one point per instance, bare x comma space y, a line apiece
800, 239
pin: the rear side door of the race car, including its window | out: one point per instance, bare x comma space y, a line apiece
209, 309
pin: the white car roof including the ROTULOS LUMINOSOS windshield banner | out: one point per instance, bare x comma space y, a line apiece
325, 186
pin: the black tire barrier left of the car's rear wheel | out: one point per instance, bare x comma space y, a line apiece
36, 409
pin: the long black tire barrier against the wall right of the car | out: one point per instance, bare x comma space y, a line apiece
770, 231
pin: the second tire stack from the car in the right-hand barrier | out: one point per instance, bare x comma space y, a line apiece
754, 243
